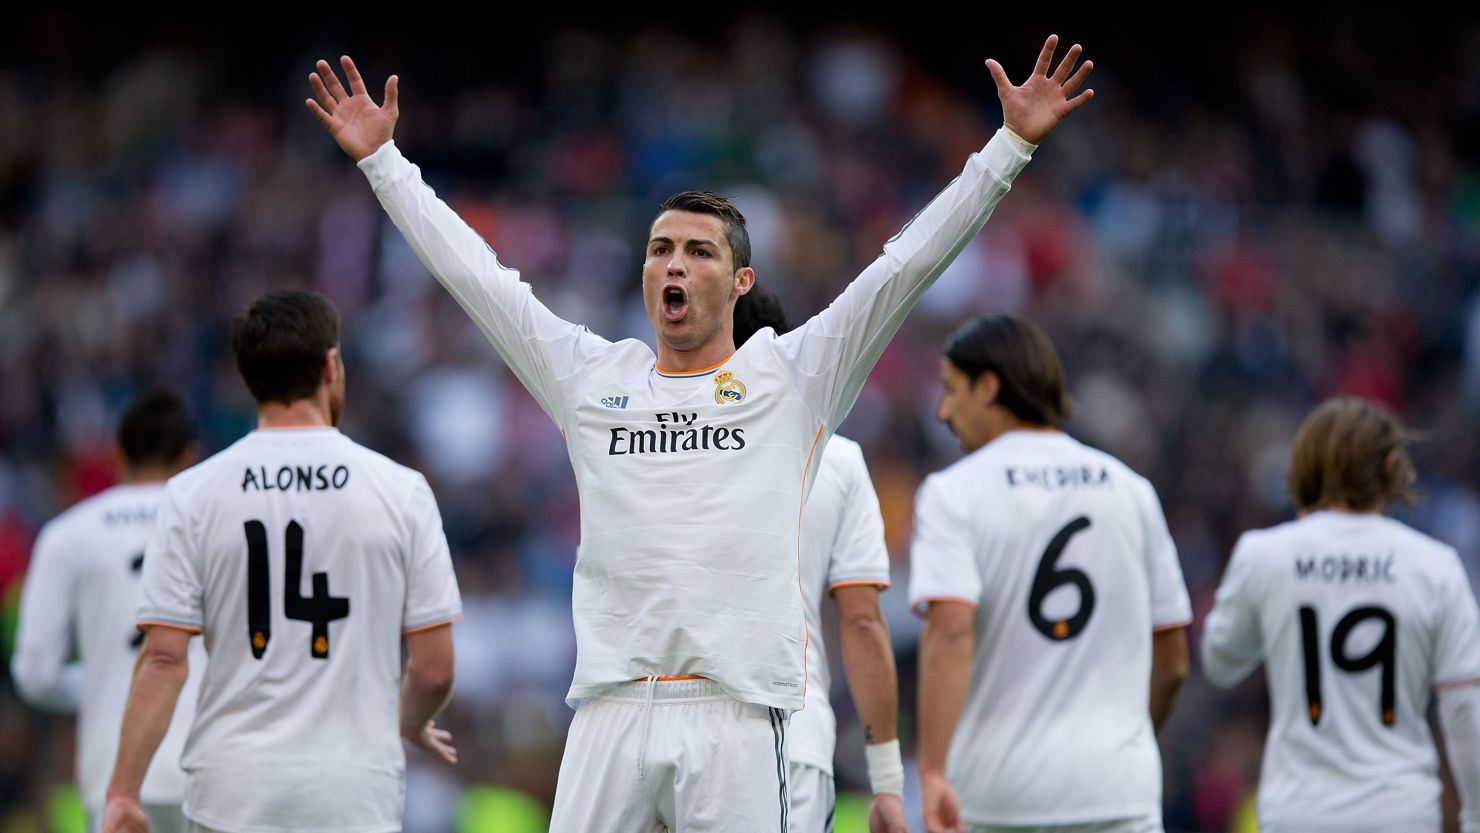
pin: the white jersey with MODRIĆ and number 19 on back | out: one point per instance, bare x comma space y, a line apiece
1358, 619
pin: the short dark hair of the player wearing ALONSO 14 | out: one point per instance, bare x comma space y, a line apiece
280, 344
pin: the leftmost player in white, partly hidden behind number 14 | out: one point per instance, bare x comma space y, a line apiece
84, 587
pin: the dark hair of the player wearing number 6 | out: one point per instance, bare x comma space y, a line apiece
1025, 362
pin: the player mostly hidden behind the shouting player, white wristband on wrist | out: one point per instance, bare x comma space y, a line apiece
844, 559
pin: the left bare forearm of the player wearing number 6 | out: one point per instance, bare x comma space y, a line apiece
946, 650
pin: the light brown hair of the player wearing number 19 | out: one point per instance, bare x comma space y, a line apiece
1350, 453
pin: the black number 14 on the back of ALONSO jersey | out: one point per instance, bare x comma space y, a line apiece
317, 610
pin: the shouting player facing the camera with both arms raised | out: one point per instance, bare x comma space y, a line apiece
692, 464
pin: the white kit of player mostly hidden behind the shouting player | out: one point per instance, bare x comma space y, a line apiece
843, 545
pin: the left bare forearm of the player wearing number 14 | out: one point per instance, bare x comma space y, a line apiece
158, 680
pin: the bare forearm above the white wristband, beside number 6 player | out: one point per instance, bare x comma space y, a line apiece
868, 659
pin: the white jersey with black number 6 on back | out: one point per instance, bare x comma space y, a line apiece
1068, 560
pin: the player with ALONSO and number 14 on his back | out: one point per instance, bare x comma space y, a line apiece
306, 561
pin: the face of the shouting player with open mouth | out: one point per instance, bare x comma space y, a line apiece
690, 282
